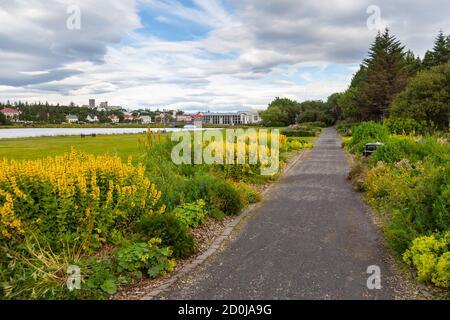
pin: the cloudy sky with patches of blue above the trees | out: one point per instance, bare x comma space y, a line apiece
198, 54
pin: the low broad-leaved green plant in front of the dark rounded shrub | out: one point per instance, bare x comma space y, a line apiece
147, 256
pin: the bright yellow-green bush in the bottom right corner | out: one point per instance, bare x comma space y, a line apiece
431, 256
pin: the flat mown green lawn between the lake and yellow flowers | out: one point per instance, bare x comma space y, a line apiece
39, 147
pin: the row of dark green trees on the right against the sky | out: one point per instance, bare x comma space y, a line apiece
390, 82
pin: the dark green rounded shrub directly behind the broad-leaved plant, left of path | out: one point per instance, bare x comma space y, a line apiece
171, 231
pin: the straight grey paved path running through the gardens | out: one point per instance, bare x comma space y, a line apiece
310, 239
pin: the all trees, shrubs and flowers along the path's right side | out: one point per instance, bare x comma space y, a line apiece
403, 102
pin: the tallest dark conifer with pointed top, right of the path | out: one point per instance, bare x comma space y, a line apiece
386, 76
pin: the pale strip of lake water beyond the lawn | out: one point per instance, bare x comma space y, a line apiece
44, 132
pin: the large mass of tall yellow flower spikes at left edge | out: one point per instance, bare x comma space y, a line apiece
88, 183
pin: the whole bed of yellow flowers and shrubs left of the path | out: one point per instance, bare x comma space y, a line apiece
118, 221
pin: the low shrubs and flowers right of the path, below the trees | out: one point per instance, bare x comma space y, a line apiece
407, 180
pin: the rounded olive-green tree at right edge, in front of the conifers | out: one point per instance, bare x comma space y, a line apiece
426, 97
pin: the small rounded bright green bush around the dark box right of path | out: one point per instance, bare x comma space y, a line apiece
367, 132
